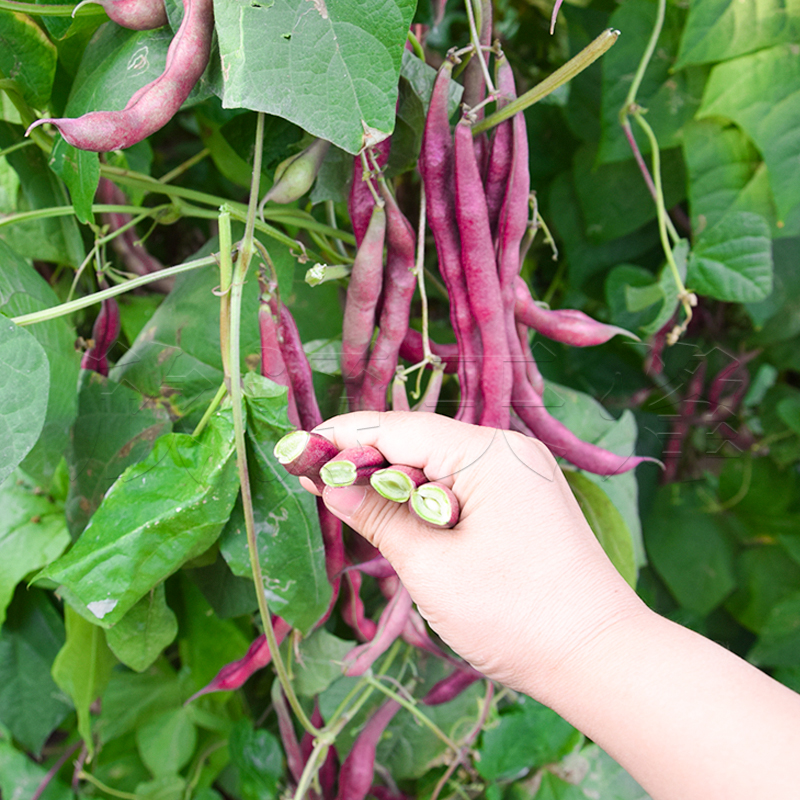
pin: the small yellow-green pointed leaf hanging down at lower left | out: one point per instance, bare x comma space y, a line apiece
82, 669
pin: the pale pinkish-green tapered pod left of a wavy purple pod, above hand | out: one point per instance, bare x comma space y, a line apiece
363, 295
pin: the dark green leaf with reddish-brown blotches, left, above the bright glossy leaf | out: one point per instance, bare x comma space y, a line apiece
115, 428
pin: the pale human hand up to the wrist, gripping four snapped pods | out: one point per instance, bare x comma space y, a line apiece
520, 583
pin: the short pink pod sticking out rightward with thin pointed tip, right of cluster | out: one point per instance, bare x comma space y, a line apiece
566, 325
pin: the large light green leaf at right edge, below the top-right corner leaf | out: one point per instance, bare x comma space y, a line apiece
761, 94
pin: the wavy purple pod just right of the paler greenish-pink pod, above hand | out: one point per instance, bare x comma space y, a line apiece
399, 286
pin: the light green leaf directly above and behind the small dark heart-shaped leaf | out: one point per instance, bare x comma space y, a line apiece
725, 174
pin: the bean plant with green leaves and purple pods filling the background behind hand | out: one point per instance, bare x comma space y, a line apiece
590, 235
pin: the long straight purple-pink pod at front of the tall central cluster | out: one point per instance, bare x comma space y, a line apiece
480, 272
